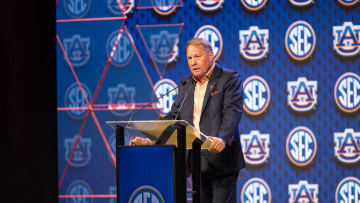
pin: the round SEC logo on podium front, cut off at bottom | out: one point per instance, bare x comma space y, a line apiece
146, 194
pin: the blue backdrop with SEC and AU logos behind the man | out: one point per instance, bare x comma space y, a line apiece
299, 61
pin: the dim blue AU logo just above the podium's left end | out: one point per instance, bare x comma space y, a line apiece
121, 99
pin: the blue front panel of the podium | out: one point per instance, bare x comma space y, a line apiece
146, 174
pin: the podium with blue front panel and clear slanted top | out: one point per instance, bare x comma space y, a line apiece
166, 157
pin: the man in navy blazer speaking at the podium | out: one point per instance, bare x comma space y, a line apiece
211, 100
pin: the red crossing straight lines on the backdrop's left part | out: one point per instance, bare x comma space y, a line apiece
98, 107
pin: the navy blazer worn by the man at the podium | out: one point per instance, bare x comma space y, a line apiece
220, 116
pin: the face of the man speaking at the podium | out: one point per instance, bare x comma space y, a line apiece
199, 60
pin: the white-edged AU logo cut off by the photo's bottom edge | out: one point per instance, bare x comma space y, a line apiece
303, 192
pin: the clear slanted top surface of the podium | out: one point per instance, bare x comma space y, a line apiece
161, 131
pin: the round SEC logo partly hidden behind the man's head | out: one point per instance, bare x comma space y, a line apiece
213, 35
